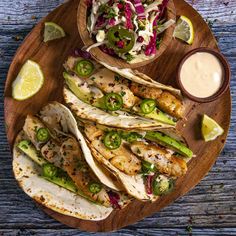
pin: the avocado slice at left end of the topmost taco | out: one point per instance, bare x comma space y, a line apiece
80, 93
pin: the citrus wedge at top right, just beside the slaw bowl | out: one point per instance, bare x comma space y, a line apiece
184, 30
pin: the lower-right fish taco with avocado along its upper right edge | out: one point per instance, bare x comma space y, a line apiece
147, 163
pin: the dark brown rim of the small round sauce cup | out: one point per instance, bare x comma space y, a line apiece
224, 85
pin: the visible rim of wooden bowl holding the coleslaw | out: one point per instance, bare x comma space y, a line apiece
99, 55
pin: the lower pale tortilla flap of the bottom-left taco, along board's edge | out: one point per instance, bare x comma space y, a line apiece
50, 195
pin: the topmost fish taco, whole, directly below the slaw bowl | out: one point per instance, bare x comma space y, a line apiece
133, 98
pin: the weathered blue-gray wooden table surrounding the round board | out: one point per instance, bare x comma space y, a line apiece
209, 209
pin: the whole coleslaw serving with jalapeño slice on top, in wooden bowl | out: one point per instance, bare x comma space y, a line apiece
128, 29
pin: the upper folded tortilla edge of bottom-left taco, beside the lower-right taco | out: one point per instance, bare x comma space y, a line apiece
54, 112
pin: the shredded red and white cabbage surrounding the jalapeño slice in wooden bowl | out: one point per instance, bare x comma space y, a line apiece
143, 19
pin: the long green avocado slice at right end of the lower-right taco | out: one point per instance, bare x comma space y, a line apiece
169, 142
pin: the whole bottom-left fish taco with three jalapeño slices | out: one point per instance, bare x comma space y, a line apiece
50, 165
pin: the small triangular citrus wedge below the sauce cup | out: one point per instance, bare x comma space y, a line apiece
210, 129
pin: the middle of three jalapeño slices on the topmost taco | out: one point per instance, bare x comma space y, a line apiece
113, 101
